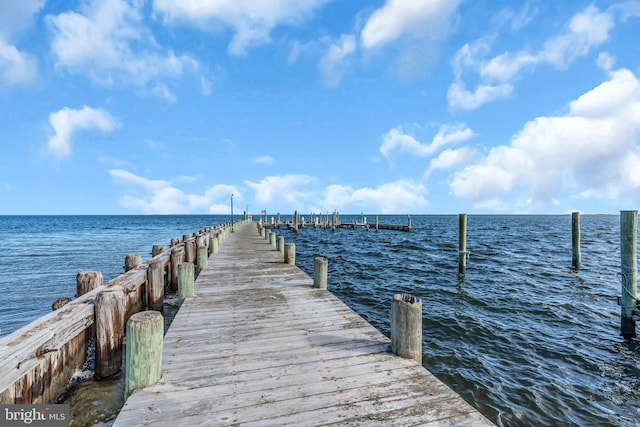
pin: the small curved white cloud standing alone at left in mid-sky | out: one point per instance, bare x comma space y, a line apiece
67, 121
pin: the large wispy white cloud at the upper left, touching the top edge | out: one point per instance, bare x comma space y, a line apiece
108, 42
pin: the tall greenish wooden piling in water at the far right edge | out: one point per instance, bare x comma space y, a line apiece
628, 272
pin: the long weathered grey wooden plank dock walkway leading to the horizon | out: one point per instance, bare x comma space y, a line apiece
258, 345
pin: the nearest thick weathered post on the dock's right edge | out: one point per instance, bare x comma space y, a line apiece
406, 327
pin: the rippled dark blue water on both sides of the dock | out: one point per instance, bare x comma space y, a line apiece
522, 337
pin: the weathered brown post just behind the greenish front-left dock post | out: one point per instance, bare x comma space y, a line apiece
110, 307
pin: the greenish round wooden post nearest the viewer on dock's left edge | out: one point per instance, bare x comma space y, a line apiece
144, 350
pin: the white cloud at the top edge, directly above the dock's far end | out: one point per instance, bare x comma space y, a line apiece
252, 21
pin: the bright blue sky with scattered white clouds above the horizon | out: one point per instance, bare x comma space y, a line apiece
387, 106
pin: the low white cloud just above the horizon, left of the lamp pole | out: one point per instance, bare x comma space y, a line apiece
156, 196
